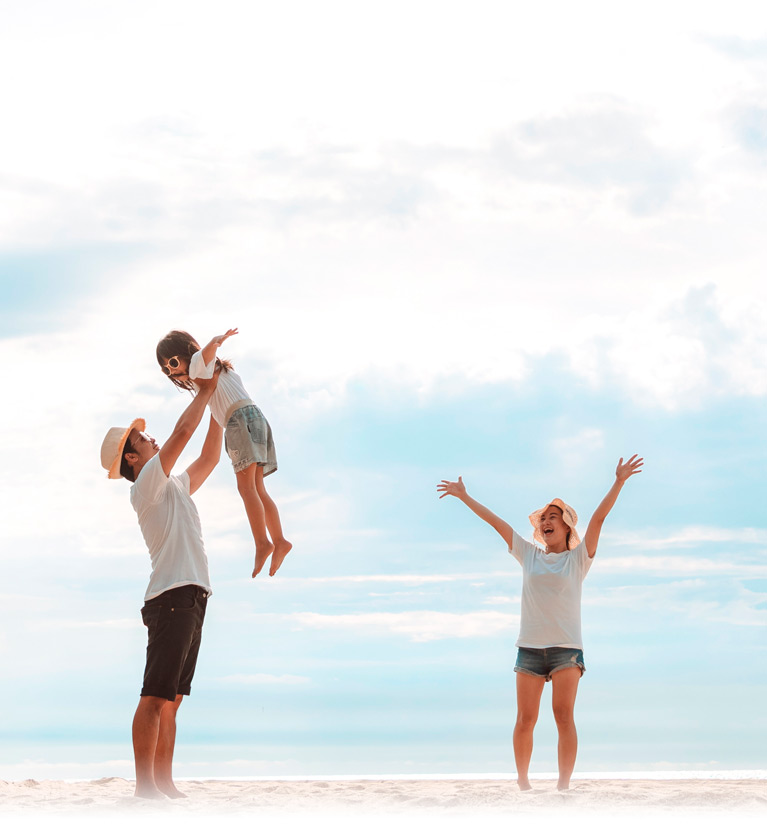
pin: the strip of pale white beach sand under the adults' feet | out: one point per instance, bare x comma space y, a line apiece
443, 796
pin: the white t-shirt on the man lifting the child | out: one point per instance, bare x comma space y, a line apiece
171, 527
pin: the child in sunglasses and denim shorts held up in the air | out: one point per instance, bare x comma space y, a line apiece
248, 437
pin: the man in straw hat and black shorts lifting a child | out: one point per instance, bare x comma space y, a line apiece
179, 584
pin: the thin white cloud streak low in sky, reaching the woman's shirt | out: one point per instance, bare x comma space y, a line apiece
421, 626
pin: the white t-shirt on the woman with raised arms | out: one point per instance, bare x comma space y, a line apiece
551, 594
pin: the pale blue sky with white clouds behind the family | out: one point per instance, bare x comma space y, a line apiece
485, 239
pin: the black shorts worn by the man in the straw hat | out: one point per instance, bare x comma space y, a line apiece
174, 621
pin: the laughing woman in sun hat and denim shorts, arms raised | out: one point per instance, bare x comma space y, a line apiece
550, 645
